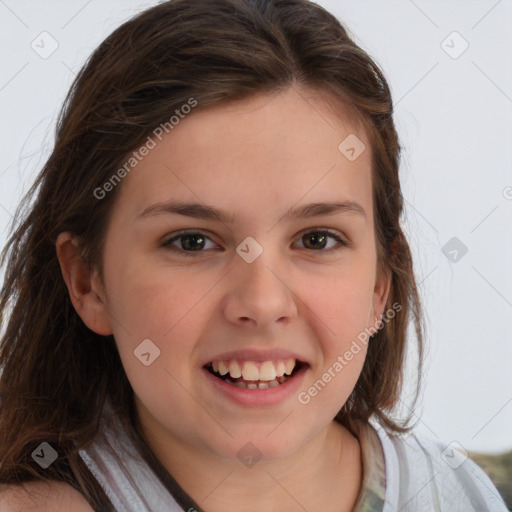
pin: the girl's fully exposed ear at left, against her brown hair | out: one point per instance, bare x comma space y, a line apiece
84, 285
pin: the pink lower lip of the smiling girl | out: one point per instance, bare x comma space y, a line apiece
258, 397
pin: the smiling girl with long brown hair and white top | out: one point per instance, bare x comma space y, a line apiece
209, 294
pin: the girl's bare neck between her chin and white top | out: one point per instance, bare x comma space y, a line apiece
323, 474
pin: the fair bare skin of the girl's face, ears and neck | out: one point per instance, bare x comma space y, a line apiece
256, 158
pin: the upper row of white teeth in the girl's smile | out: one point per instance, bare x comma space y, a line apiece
252, 370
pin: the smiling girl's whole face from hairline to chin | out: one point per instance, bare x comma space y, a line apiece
251, 291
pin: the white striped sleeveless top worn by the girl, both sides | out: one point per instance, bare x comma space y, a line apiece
409, 474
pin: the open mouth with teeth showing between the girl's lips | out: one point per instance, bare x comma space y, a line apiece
255, 375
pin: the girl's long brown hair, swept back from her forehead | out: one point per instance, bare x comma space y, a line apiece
56, 373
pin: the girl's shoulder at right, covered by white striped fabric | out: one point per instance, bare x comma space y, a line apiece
422, 471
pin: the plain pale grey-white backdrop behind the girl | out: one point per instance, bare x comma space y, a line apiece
450, 69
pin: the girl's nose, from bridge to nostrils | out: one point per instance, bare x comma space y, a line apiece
259, 293
